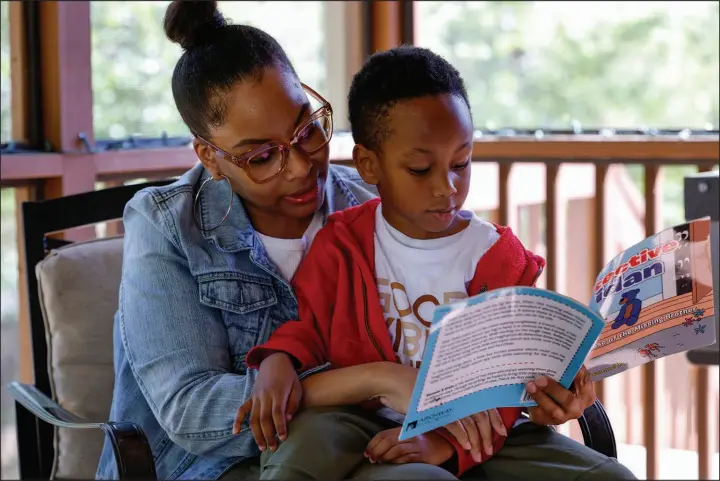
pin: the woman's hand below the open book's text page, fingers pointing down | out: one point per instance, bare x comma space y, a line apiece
476, 432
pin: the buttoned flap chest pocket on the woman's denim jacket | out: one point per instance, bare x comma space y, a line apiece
244, 301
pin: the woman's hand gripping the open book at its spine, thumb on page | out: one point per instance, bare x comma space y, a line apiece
557, 405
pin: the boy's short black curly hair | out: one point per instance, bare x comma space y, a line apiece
401, 73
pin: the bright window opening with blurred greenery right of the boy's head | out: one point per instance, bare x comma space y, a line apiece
602, 64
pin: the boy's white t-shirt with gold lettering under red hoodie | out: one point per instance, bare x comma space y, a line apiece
413, 275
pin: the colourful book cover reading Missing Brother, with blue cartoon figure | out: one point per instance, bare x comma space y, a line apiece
656, 299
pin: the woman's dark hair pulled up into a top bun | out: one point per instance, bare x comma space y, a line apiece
216, 56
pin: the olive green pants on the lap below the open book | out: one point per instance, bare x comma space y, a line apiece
328, 443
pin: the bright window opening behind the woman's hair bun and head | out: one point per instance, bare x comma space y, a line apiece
132, 60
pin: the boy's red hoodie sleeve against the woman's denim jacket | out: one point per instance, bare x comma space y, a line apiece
314, 284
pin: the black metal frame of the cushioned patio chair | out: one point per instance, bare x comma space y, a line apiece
37, 414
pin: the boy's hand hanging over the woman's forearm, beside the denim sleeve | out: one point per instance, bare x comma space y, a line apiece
276, 398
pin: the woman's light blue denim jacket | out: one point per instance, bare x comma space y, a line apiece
191, 305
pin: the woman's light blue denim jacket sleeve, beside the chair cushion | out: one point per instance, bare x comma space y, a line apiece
177, 348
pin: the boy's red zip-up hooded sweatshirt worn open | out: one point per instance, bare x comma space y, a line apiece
340, 314
